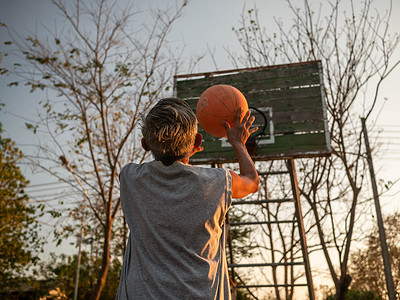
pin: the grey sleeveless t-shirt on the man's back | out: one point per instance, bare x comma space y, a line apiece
176, 246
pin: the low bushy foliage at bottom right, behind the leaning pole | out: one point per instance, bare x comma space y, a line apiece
367, 264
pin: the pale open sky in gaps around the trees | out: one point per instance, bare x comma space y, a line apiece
204, 24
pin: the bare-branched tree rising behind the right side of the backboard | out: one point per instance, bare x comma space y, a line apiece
356, 50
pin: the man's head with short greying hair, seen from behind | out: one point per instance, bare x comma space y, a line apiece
169, 130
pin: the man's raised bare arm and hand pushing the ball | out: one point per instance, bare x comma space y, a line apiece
247, 182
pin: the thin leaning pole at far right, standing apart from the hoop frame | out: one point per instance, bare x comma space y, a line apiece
382, 235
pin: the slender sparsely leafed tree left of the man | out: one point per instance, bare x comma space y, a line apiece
107, 66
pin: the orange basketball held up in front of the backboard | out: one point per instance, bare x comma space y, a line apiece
219, 103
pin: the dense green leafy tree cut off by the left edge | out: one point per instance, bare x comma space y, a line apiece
19, 240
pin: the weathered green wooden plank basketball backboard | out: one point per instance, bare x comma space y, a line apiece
287, 101
